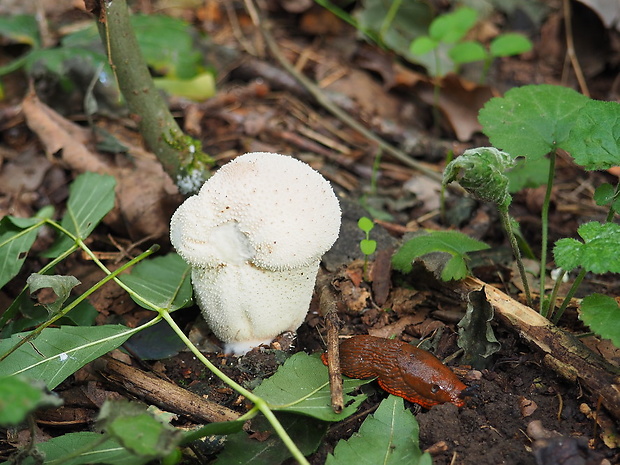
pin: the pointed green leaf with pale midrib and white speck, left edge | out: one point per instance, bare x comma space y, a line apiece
59, 352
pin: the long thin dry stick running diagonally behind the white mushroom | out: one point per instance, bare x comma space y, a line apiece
322, 99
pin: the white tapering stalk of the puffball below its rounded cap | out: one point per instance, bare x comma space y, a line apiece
247, 306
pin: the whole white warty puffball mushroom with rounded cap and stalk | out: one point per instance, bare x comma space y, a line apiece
254, 236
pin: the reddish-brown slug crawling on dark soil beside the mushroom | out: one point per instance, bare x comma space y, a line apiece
401, 369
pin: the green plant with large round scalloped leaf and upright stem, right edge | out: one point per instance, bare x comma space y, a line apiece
534, 122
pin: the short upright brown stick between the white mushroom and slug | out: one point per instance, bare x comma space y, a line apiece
330, 311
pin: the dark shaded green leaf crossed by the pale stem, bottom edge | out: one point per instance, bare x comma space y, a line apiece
240, 448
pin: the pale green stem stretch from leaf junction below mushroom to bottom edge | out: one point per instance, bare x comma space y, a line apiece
258, 402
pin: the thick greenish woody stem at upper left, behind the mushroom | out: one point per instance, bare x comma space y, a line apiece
144, 100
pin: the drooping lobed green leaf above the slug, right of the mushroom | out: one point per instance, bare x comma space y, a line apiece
452, 242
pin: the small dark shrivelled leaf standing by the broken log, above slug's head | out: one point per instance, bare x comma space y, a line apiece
476, 336
